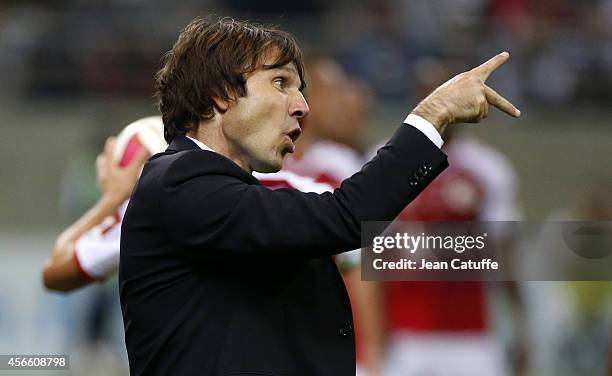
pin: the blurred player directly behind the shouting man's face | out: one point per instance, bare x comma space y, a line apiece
328, 150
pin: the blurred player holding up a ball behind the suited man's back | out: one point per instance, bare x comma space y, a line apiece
88, 250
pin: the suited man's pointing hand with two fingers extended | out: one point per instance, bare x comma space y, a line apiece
465, 98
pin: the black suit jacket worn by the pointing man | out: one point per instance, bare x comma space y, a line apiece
220, 275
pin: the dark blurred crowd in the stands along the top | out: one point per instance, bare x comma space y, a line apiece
74, 48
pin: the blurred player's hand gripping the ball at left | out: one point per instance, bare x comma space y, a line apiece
116, 182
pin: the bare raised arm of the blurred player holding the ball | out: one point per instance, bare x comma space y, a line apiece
62, 271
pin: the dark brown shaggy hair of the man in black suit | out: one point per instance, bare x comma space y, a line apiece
212, 59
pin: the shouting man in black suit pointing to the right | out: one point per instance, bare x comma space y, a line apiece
222, 276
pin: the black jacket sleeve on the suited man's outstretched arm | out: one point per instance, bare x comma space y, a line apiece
218, 212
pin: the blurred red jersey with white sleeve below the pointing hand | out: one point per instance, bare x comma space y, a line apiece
479, 184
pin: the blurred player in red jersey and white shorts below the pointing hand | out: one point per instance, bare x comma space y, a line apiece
442, 328
